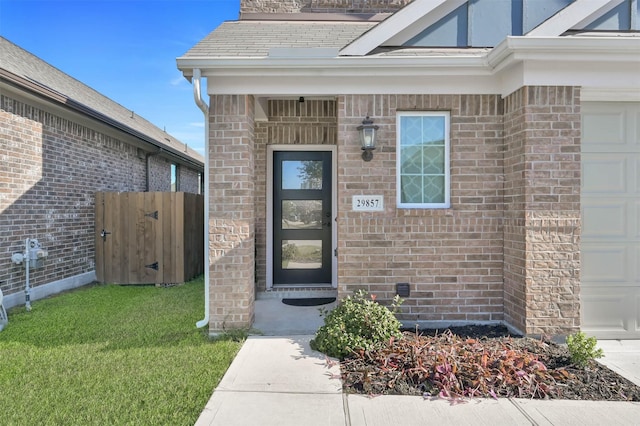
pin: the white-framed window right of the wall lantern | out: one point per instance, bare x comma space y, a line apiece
422, 156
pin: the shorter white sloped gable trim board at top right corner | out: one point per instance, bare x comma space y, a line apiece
577, 14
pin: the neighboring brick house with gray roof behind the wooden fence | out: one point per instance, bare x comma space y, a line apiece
60, 142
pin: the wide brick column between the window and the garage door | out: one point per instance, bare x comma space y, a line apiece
542, 210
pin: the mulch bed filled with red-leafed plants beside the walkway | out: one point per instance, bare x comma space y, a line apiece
480, 361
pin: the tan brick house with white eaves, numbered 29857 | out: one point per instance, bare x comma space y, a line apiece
508, 249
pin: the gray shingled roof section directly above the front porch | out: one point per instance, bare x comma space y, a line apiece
255, 38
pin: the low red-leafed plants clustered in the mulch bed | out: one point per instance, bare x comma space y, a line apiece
453, 367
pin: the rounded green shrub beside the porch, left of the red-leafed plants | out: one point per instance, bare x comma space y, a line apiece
358, 322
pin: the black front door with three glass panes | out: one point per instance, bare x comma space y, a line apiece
302, 217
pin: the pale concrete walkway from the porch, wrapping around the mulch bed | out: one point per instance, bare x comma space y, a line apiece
280, 381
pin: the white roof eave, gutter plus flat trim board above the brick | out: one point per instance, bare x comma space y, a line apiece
516, 62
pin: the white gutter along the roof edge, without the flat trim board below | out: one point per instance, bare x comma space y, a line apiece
512, 49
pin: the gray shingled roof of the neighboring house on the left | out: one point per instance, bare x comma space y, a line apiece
25, 65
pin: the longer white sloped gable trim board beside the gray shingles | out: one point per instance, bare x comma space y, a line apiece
406, 18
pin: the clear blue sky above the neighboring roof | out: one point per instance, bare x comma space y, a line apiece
125, 49
